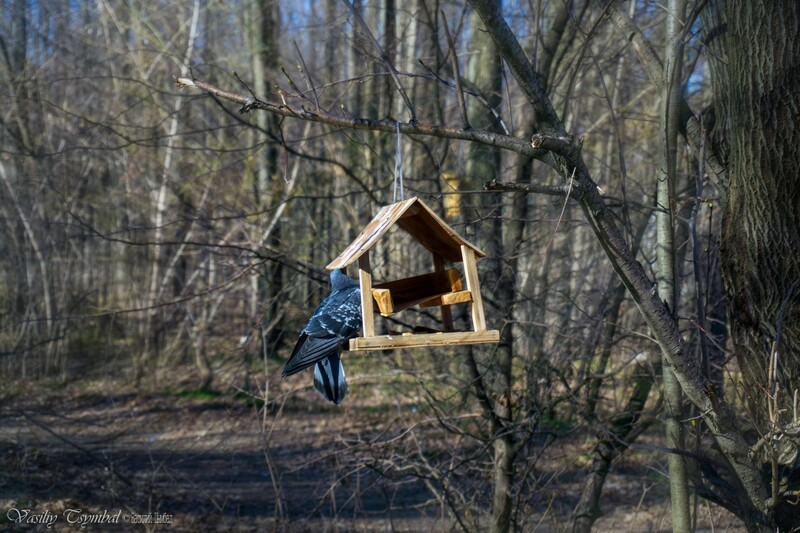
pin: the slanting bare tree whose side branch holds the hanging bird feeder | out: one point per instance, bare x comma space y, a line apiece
552, 144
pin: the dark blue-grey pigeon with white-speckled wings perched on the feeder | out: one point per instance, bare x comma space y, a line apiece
336, 320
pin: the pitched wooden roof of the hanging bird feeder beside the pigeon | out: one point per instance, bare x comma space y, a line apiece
419, 221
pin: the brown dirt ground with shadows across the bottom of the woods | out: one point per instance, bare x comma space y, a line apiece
197, 461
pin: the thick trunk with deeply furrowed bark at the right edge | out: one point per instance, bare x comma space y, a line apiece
756, 84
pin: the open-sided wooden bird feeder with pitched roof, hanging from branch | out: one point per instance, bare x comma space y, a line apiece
441, 288
